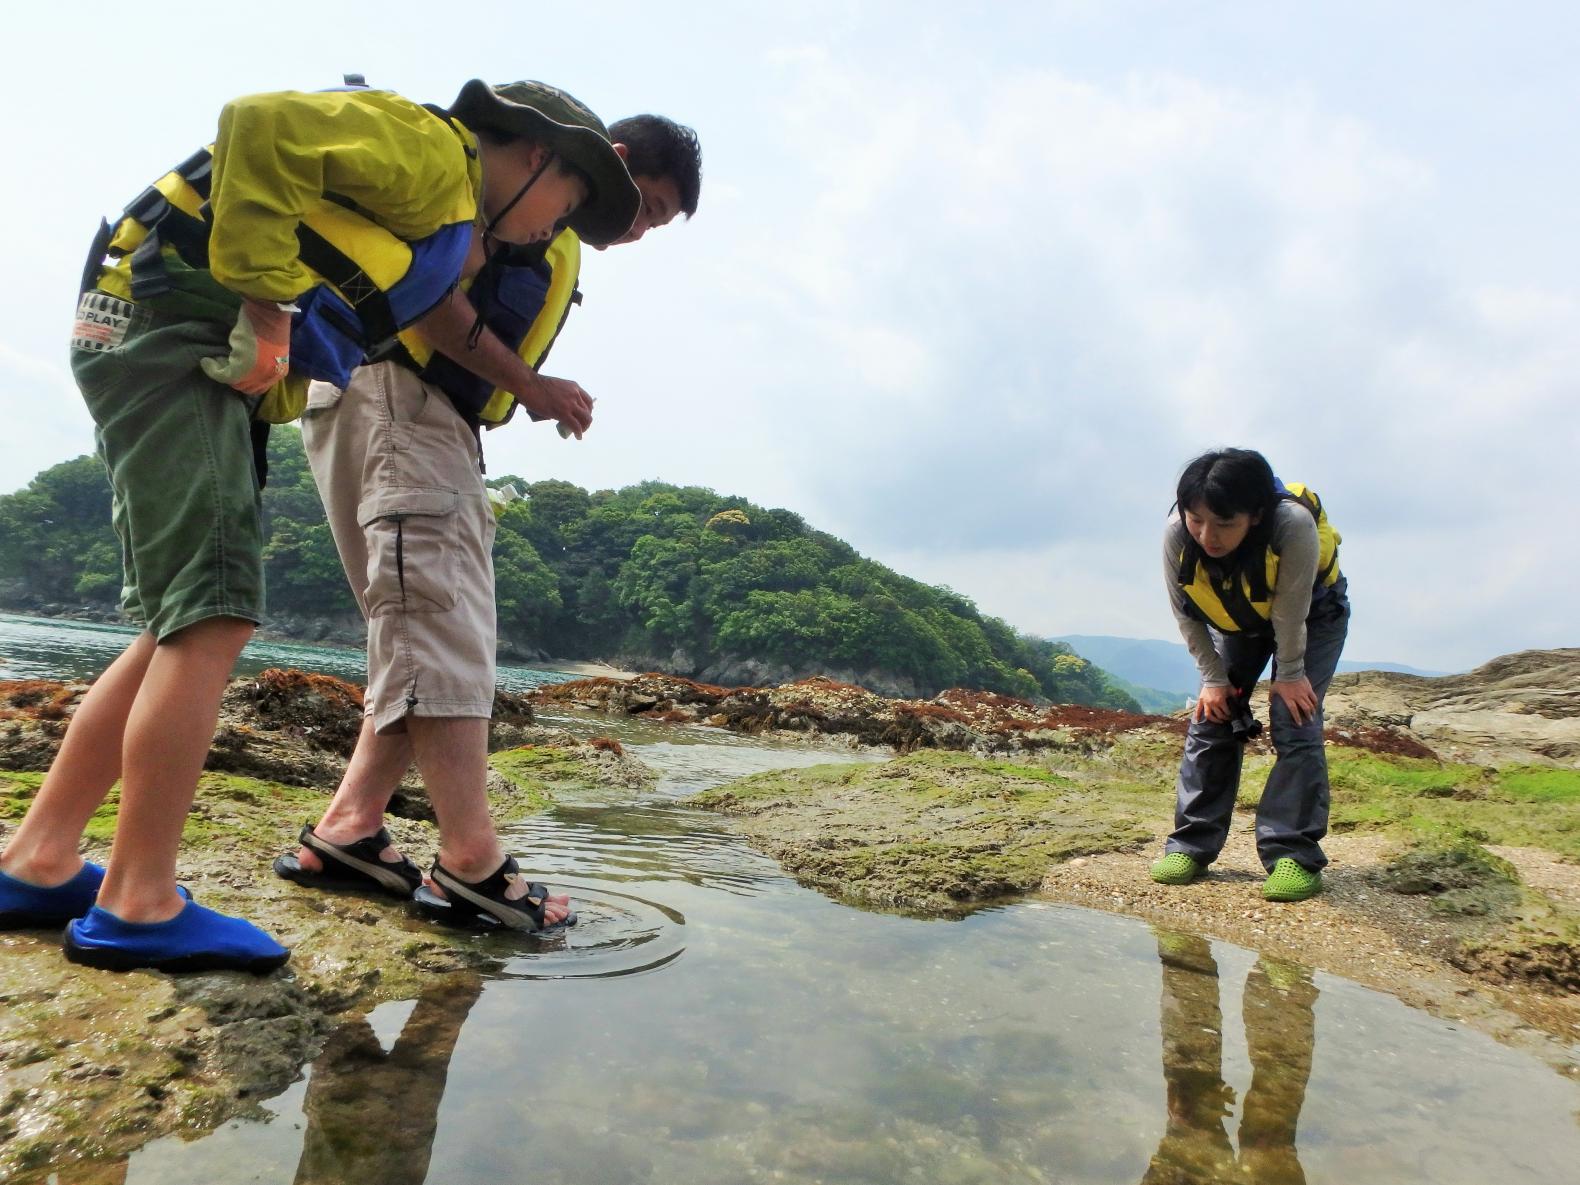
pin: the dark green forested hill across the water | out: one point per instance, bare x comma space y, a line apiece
655, 577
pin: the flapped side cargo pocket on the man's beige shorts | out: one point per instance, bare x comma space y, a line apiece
412, 549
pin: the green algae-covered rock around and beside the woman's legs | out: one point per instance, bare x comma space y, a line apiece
942, 833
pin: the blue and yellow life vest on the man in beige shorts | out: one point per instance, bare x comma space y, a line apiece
525, 301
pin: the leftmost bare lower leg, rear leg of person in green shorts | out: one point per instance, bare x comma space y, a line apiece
45, 846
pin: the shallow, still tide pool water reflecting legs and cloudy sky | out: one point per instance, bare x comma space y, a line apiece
710, 1021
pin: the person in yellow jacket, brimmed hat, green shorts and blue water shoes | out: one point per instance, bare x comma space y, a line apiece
318, 225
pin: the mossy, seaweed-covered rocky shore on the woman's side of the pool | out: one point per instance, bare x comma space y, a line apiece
1456, 848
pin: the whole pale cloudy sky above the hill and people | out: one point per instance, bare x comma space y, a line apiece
971, 284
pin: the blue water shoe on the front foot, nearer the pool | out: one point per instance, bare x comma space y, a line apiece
197, 939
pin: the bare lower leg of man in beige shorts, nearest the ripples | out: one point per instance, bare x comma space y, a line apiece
453, 756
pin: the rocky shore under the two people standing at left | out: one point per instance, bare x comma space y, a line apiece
96, 1064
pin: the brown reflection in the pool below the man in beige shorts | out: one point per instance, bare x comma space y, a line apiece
372, 1115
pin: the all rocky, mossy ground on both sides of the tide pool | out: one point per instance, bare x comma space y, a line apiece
1456, 848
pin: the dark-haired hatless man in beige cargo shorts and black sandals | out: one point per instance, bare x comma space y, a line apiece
478, 355
